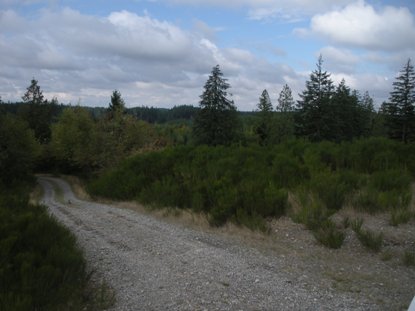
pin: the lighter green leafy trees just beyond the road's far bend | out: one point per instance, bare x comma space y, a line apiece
79, 143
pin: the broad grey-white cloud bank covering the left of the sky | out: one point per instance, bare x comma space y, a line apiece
80, 57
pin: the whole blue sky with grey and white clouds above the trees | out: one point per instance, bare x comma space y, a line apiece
160, 52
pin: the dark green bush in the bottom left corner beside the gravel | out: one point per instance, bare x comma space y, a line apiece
41, 267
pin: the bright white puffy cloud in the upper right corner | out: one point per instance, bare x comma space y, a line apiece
360, 25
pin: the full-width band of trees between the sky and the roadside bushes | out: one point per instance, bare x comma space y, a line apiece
75, 138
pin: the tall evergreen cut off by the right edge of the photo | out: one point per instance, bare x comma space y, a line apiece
400, 110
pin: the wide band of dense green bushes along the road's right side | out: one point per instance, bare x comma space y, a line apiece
247, 184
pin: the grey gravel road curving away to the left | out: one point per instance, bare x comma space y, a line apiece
155, 265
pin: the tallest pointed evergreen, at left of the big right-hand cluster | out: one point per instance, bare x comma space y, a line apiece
312, 118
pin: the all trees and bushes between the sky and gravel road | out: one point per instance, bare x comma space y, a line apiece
306, 160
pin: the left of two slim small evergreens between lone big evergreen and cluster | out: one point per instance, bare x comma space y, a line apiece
264, 127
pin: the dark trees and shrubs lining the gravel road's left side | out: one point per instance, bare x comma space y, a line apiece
41, 265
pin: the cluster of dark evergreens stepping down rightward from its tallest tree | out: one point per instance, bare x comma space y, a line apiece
326, 113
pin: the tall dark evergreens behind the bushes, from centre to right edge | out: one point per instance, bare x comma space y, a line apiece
324, 112
